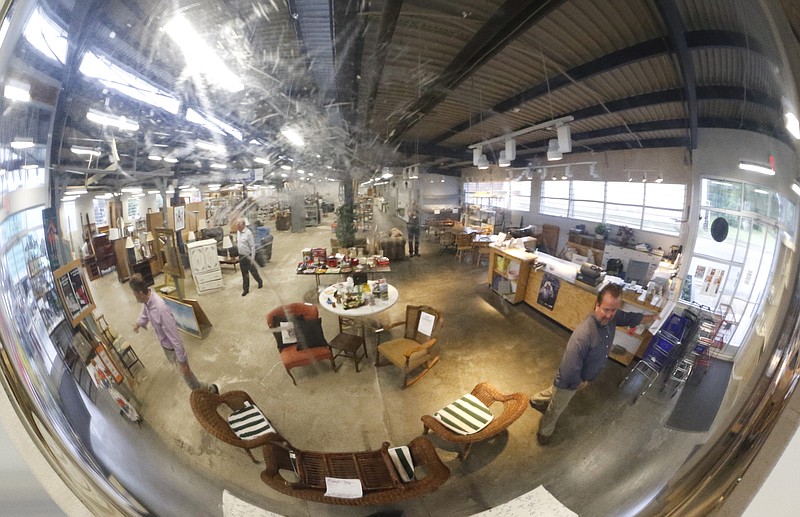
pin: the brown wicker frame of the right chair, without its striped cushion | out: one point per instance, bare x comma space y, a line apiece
514, 405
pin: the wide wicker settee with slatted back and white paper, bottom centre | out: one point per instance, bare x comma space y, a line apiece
380, 482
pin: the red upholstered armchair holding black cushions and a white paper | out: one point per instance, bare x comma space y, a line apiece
309, 352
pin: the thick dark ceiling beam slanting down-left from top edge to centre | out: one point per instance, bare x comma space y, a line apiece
509, 21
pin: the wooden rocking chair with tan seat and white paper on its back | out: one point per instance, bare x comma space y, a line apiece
414, 350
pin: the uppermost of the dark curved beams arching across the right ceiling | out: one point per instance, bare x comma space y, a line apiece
640, 51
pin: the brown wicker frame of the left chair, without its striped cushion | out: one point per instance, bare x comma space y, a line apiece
205, 408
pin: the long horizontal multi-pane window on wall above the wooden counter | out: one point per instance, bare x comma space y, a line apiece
653, 207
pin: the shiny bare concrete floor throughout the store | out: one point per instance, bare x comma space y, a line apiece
609, 457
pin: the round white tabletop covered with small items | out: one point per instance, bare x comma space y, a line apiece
350, 299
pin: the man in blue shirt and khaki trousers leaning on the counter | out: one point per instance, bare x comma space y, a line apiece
584, 357
